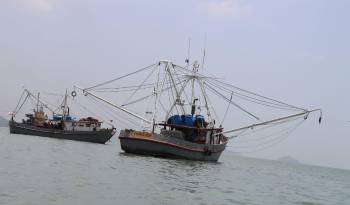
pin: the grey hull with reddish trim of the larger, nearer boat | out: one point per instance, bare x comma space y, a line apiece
165, 146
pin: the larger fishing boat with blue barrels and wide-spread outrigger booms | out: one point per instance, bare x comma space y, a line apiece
181, 121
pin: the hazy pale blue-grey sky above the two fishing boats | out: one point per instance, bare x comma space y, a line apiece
297, 51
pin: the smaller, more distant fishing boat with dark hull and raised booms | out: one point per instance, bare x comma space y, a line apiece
60, 126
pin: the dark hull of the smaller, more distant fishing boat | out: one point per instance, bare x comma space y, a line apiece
101, 136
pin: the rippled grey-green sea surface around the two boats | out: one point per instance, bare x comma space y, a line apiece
37, 170
